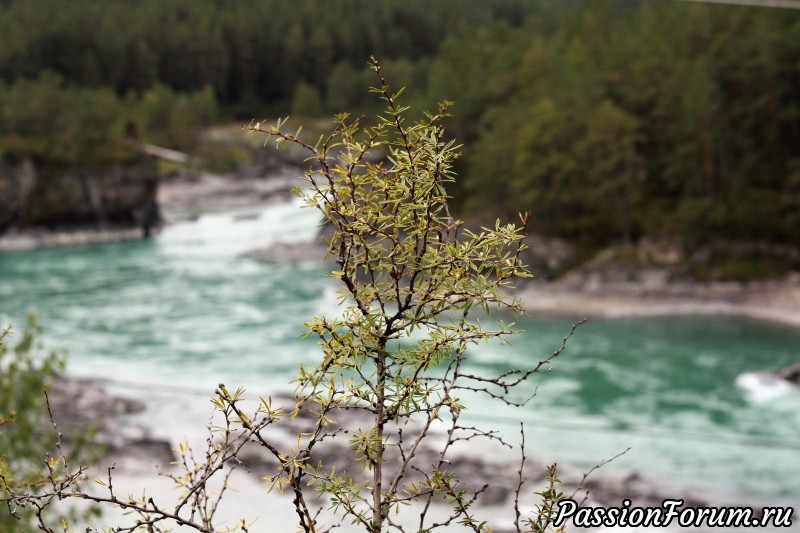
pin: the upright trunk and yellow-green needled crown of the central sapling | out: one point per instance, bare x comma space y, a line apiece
412, 277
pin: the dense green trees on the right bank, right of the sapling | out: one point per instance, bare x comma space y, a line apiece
678, 120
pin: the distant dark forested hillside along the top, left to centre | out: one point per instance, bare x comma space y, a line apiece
244, 51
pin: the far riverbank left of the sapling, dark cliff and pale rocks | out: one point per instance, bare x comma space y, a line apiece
44, 205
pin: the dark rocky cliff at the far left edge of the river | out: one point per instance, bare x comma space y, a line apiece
34, 195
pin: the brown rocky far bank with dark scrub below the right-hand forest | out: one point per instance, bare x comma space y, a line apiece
748, 279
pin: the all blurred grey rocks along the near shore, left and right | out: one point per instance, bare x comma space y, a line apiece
78, 404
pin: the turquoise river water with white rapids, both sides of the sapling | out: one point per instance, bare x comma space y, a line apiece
185, 311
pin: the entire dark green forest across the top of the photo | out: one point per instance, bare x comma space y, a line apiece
610, 120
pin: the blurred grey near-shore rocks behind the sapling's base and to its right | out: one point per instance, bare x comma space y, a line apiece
479, 466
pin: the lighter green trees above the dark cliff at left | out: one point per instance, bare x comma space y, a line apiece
52, 122
